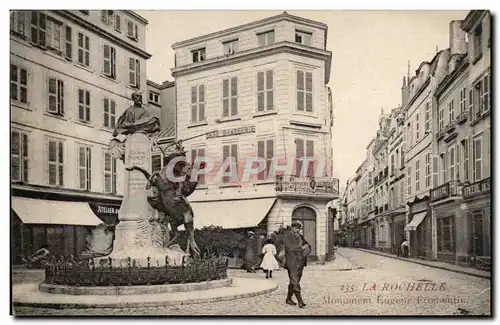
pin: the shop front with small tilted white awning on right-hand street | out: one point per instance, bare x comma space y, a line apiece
419, 228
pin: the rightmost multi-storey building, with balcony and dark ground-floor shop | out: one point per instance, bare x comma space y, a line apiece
461, 198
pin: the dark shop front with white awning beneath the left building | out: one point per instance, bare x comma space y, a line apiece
59, 224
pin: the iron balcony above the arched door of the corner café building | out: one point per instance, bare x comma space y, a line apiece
322, 187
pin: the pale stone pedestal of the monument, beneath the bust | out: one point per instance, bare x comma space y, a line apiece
138, 234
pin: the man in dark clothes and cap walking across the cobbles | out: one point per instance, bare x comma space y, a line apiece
296, 251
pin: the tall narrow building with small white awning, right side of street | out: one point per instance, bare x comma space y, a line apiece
418, 153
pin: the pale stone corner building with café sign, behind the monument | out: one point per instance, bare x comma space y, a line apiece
259, 90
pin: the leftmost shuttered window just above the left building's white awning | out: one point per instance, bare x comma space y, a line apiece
19, 156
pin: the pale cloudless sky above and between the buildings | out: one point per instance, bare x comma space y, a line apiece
370, 54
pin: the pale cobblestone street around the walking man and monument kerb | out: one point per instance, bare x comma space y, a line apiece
333, 289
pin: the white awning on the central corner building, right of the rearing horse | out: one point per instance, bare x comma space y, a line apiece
231, 214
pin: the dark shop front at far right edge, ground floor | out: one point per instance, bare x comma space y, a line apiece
477, 210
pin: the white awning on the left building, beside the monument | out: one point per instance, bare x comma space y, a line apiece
35, 211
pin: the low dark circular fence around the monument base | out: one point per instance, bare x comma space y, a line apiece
86, 273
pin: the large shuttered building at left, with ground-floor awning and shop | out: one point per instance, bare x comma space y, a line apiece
72, 73
